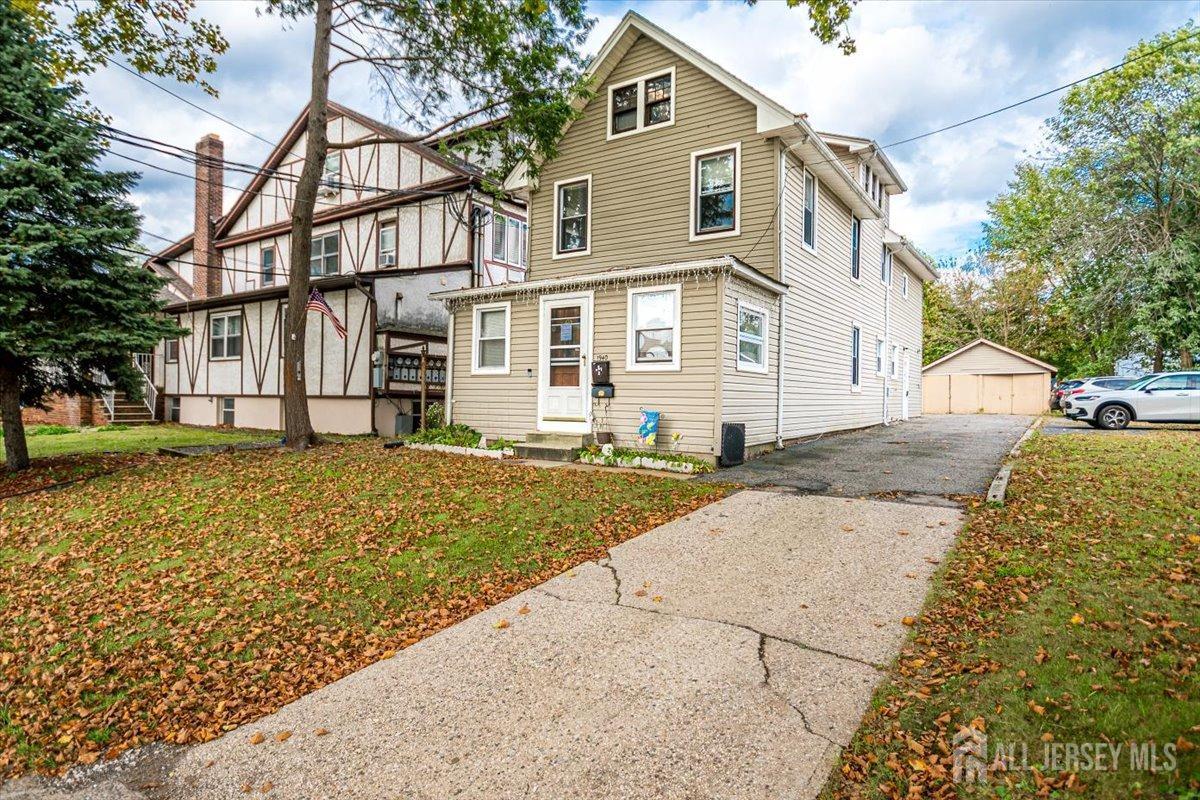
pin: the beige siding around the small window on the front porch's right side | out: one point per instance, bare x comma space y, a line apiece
749, 398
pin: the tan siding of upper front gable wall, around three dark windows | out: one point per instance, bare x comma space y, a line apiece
641, 184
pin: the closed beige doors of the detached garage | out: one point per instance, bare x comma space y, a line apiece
970, 394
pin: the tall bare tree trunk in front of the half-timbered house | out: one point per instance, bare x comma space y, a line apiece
298, 428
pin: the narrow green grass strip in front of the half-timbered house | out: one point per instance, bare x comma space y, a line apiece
146, 438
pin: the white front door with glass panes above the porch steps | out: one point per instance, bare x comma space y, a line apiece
563, 377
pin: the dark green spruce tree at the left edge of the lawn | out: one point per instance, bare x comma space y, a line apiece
73, 304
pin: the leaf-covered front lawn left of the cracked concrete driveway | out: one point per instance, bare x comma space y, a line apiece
177, 600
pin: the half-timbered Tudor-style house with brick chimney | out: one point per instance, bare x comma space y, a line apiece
394, 224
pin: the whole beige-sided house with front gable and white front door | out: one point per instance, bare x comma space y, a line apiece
728, 262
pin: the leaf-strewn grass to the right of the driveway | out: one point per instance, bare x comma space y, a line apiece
1070, 616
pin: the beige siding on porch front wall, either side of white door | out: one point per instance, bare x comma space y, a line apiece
508, 405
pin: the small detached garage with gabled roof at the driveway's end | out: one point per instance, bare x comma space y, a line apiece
987, 378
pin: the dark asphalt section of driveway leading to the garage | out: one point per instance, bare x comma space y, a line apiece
932, 456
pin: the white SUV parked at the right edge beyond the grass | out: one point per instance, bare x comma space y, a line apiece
1161, 398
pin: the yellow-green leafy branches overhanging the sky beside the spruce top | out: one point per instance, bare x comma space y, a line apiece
157, 37
